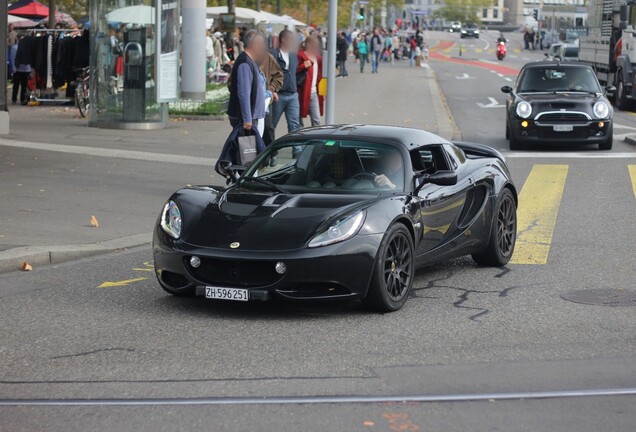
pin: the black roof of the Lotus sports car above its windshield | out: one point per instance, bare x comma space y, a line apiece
389, 134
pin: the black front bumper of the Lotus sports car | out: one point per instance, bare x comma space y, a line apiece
337, 271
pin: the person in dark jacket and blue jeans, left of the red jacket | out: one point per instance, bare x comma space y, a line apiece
288, 102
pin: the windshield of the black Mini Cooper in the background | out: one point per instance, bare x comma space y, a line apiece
558, 79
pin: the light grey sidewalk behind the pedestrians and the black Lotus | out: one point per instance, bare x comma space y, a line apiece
56, 172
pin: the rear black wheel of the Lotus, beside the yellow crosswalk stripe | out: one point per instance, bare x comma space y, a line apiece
503, 234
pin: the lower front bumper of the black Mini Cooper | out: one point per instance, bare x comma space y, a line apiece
591, 132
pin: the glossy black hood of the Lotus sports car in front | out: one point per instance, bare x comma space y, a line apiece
258, 221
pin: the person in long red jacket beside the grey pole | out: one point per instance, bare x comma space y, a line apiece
308, 76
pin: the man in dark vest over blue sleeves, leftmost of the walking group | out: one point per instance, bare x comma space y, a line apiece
247, 97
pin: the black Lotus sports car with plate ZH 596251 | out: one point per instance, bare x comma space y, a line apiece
338, 212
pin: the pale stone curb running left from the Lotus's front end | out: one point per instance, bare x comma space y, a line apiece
12, 259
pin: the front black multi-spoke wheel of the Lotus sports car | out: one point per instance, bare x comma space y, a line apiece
394, 271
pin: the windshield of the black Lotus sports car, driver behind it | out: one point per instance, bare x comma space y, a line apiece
327, 166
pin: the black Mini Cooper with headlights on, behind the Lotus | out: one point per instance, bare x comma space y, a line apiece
555, 103
